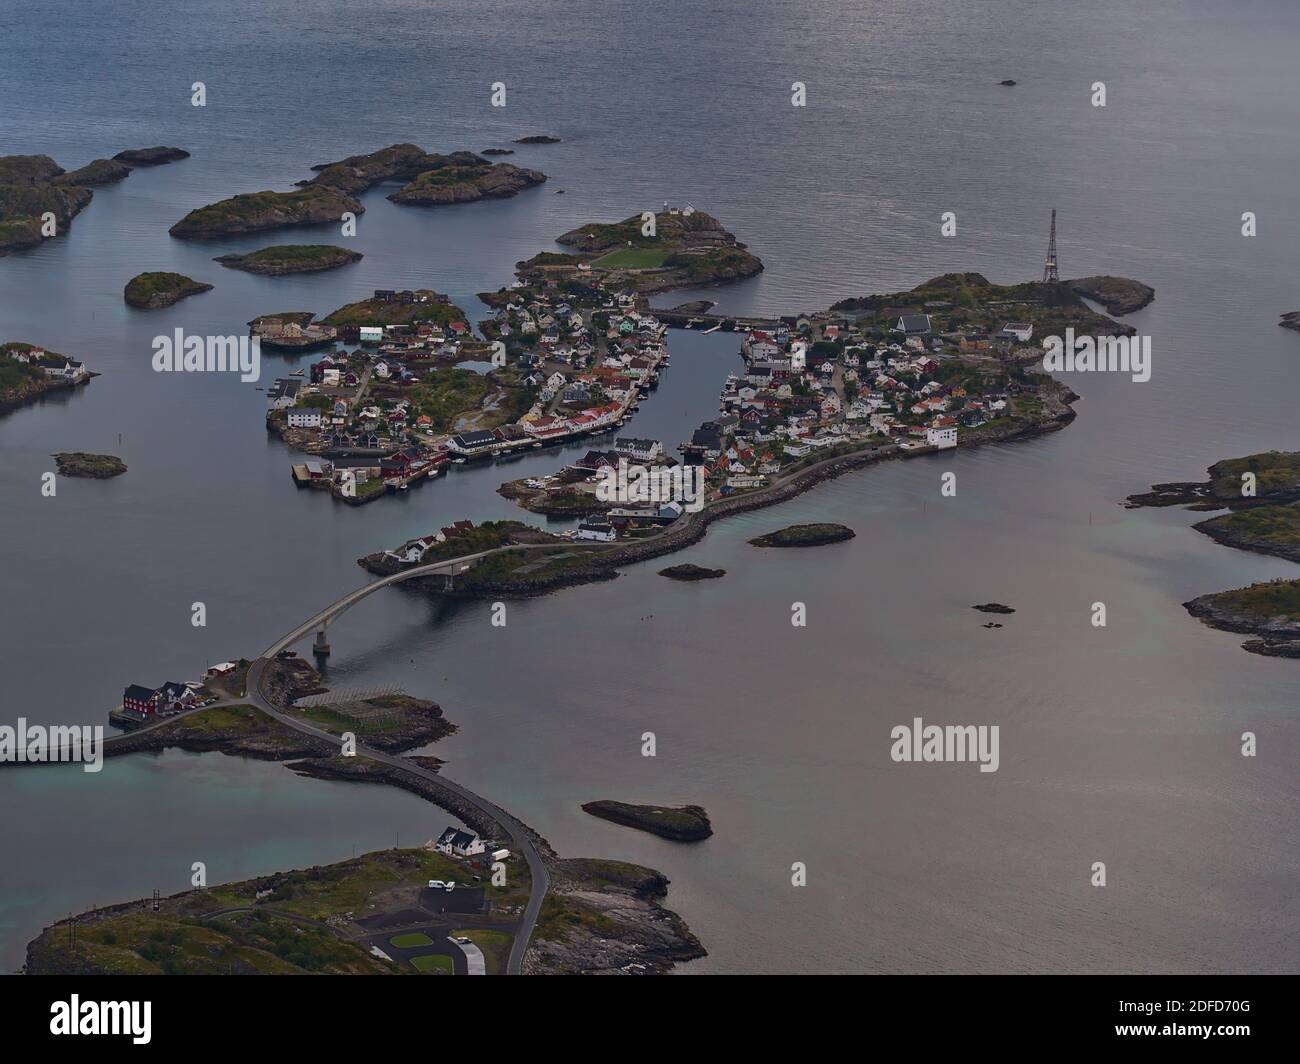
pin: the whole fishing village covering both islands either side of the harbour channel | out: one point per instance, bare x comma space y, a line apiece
574, 347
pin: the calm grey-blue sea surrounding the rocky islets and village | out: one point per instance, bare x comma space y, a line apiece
1119, 745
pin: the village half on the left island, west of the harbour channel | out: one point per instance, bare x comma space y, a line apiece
561, 364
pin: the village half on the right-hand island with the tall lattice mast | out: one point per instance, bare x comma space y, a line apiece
900, 379
